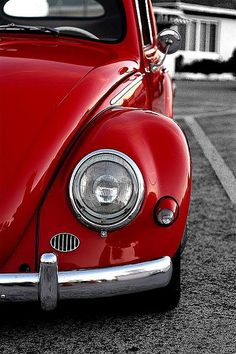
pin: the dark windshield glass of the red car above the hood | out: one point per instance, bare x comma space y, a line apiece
94, 19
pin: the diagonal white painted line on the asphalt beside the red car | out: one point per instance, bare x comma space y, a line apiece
224, 174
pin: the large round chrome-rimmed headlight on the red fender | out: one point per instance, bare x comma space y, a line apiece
106, 189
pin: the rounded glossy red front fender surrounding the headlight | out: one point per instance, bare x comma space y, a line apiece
159, 148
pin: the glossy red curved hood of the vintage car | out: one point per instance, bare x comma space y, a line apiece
47, 90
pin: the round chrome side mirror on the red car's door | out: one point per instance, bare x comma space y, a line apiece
168, 41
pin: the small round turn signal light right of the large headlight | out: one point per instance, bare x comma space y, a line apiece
166, 211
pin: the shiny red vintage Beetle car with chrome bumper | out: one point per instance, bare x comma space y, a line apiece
95, 173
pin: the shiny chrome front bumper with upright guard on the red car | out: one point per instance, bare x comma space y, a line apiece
49, 285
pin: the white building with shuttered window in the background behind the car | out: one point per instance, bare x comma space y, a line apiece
207, 27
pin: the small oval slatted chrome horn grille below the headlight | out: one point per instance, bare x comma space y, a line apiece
64, 242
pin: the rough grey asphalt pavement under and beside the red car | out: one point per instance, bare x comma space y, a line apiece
205, 320
